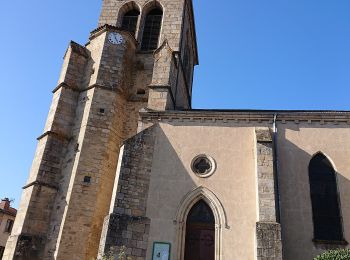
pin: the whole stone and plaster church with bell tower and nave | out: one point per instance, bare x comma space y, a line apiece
126, 169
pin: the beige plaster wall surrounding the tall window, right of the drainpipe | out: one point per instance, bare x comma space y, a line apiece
297, 143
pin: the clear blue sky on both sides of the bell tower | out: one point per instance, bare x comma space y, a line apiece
271, 54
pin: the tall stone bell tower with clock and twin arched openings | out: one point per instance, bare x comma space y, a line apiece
141, 55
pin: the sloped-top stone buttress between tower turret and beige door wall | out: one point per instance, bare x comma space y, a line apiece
126, 228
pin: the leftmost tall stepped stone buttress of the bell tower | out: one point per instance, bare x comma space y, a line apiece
33, 219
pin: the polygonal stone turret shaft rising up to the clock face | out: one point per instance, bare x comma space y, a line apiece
98, 133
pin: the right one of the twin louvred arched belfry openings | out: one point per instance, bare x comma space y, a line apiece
151, 30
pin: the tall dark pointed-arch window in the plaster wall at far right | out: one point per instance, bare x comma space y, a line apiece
325, 201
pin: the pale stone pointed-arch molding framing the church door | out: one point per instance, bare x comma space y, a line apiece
191, 198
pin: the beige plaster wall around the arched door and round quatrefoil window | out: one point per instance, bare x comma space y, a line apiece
234, 183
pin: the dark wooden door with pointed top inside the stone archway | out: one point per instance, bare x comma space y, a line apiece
200, 233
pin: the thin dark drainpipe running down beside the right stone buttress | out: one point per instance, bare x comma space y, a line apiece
275, 172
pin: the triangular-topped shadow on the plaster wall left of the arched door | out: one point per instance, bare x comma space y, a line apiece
169, 183
